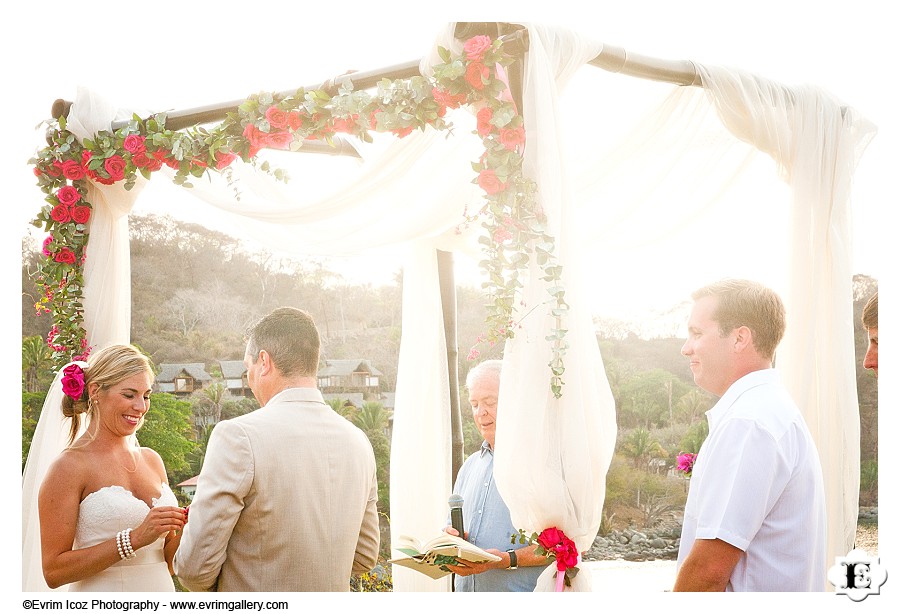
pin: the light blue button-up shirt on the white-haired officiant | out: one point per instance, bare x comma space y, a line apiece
486, 520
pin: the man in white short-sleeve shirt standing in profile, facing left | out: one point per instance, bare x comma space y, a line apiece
755, 515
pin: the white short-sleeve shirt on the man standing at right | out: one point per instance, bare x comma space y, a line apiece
757, 484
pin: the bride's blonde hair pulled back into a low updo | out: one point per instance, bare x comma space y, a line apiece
107, 367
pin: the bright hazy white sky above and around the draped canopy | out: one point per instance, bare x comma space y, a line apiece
184, 55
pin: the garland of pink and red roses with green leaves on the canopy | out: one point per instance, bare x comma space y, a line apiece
515, 223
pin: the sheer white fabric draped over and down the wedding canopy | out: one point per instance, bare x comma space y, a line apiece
686, 161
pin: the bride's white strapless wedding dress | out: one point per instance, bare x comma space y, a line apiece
104, 513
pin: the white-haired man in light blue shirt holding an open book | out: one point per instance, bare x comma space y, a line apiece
486, 518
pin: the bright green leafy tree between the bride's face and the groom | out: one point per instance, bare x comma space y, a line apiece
167, 429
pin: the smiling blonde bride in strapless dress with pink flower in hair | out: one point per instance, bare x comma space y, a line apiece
108, 519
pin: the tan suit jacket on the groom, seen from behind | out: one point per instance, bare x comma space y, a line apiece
285, 502
